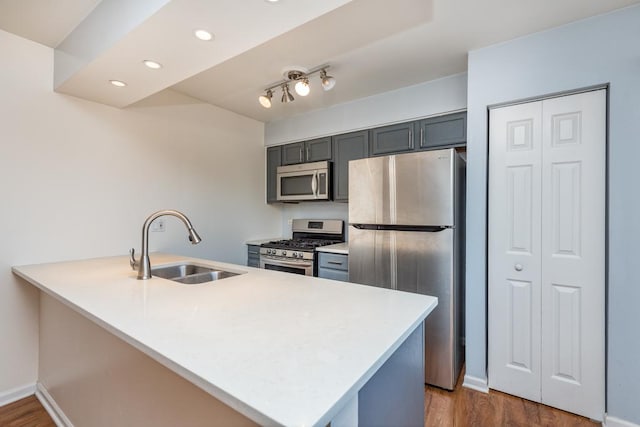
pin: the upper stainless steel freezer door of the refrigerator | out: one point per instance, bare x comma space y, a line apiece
406, 189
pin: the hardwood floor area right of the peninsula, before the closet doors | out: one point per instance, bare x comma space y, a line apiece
465, 407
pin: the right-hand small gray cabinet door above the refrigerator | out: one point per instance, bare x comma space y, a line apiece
442, 131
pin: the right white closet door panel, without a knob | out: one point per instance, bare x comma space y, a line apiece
573, 253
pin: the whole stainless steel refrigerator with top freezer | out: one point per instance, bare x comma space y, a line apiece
406, 232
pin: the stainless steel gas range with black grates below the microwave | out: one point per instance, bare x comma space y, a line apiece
297, 255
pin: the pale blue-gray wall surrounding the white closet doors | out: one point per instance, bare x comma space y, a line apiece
604, 49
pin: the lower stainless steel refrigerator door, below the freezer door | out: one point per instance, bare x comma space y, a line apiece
419, 262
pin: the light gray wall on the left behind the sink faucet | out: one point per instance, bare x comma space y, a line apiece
77, 180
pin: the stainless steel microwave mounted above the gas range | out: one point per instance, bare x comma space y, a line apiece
305, 181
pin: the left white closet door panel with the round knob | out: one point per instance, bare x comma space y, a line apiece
514, 249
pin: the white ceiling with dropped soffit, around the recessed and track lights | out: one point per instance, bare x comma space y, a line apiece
372, 46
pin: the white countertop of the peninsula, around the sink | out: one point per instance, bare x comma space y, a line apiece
279, 348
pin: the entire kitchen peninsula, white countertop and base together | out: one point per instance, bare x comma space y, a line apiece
261, 347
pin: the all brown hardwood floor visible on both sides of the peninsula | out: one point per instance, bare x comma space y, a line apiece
460, 408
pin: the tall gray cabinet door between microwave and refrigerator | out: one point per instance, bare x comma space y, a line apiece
346, 147
